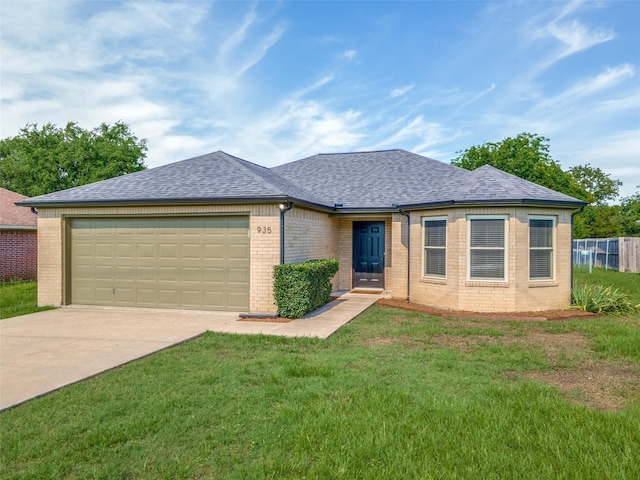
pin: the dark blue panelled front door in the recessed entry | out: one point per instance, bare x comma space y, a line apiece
368, 255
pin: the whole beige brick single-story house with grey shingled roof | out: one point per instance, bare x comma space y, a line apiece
205, 233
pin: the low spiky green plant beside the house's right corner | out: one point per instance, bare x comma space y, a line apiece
602, 299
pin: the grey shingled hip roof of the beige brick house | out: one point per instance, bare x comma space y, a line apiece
382, 180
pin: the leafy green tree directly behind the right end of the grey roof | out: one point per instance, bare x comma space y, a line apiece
525, 156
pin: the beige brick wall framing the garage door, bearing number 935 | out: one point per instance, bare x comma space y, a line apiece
264, 248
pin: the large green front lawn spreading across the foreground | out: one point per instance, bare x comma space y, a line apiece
393, 394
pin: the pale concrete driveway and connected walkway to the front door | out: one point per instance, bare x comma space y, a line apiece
44, 351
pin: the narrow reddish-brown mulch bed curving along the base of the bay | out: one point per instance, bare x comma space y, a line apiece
543, 315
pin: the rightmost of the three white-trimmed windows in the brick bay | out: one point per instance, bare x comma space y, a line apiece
541, 247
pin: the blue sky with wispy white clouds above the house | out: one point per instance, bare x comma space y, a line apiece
273, 82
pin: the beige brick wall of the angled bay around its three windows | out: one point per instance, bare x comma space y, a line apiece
518, 293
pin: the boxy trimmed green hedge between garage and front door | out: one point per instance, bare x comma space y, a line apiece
300, 288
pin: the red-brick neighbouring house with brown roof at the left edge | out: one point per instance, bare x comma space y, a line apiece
18, 239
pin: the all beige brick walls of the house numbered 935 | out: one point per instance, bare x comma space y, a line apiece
310, 234
